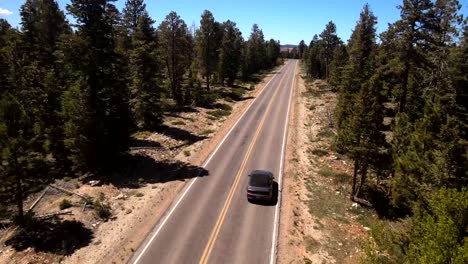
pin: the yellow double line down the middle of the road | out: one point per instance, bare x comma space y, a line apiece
219, 222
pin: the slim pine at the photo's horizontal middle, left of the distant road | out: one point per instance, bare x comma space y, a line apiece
230, 53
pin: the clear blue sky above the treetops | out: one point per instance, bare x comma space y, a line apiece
288, 21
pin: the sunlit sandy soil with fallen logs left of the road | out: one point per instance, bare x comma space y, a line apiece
136, 207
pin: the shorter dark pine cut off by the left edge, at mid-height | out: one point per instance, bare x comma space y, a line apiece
21, 156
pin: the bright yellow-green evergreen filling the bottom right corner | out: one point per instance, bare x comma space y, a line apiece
439, 232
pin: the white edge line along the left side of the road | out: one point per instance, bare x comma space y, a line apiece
195, 179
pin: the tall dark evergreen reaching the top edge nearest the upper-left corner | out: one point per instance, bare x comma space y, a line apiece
43, 23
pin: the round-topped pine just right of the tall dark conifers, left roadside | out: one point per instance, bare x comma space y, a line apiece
176, 51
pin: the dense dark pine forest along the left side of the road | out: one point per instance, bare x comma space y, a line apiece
72, 94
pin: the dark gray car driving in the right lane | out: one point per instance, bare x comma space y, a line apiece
260, 185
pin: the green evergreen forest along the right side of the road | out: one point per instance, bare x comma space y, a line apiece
402, 118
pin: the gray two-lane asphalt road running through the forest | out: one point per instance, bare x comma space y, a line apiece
211, 220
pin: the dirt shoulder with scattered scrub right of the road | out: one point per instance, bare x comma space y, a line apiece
318, 223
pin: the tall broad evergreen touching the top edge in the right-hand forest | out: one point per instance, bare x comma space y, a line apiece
415, 36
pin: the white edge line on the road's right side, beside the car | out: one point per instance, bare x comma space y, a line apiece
275, 225
